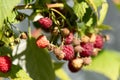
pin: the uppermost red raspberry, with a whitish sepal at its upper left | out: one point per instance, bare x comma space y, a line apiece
45, 22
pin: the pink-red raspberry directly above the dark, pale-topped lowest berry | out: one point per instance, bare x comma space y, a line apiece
69, 52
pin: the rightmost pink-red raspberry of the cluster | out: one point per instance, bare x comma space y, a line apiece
99, 42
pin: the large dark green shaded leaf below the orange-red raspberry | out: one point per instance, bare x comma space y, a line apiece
38, 62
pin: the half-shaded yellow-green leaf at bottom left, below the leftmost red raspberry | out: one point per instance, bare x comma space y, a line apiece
16, 73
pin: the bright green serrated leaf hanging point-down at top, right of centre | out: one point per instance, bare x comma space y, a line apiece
80, 9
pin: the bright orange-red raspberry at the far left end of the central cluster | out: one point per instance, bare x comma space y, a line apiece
42, 41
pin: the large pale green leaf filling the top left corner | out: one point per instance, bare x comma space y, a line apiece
6, 6
